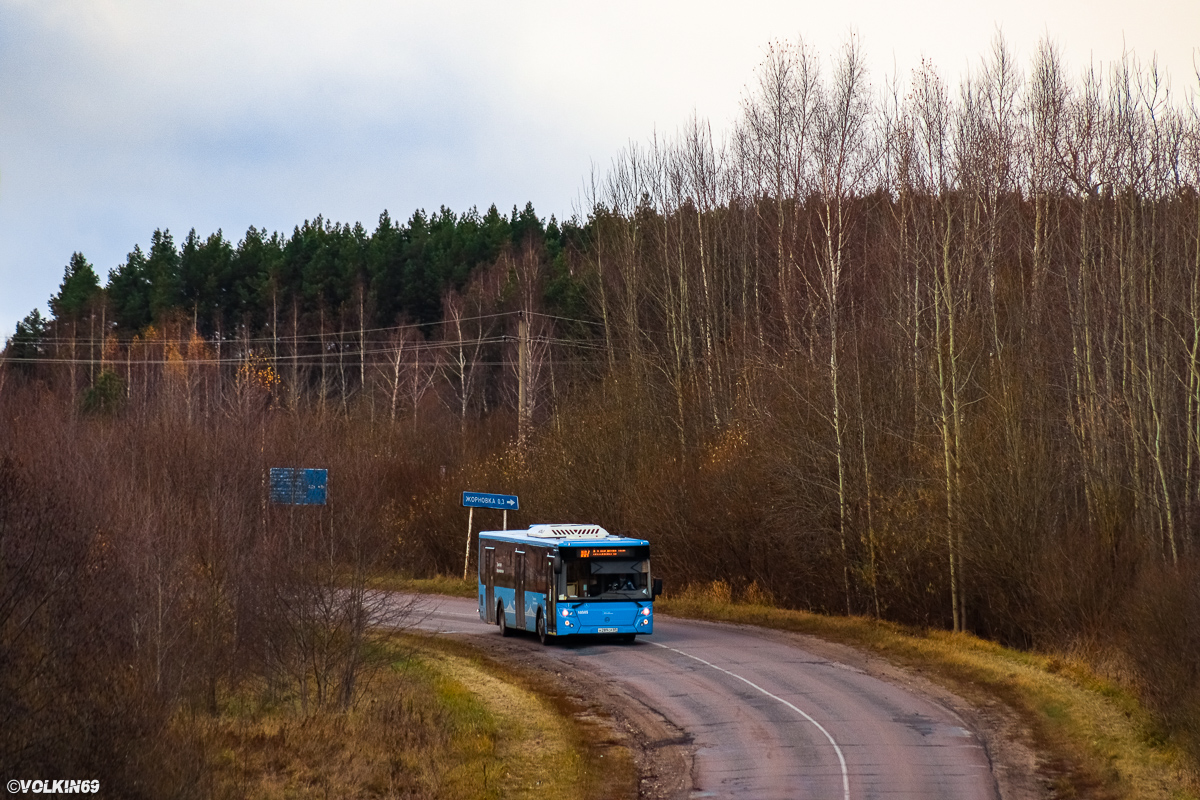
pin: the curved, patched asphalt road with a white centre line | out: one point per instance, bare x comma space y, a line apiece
769, 719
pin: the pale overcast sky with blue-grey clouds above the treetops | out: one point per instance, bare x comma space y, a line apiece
119, 117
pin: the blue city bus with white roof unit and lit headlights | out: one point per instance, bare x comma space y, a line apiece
567, 581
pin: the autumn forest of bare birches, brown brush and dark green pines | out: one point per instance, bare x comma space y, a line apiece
923, 352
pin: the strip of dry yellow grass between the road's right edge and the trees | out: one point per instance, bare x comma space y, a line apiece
1100, 741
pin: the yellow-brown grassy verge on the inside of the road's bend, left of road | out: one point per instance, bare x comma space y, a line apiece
441, 724
